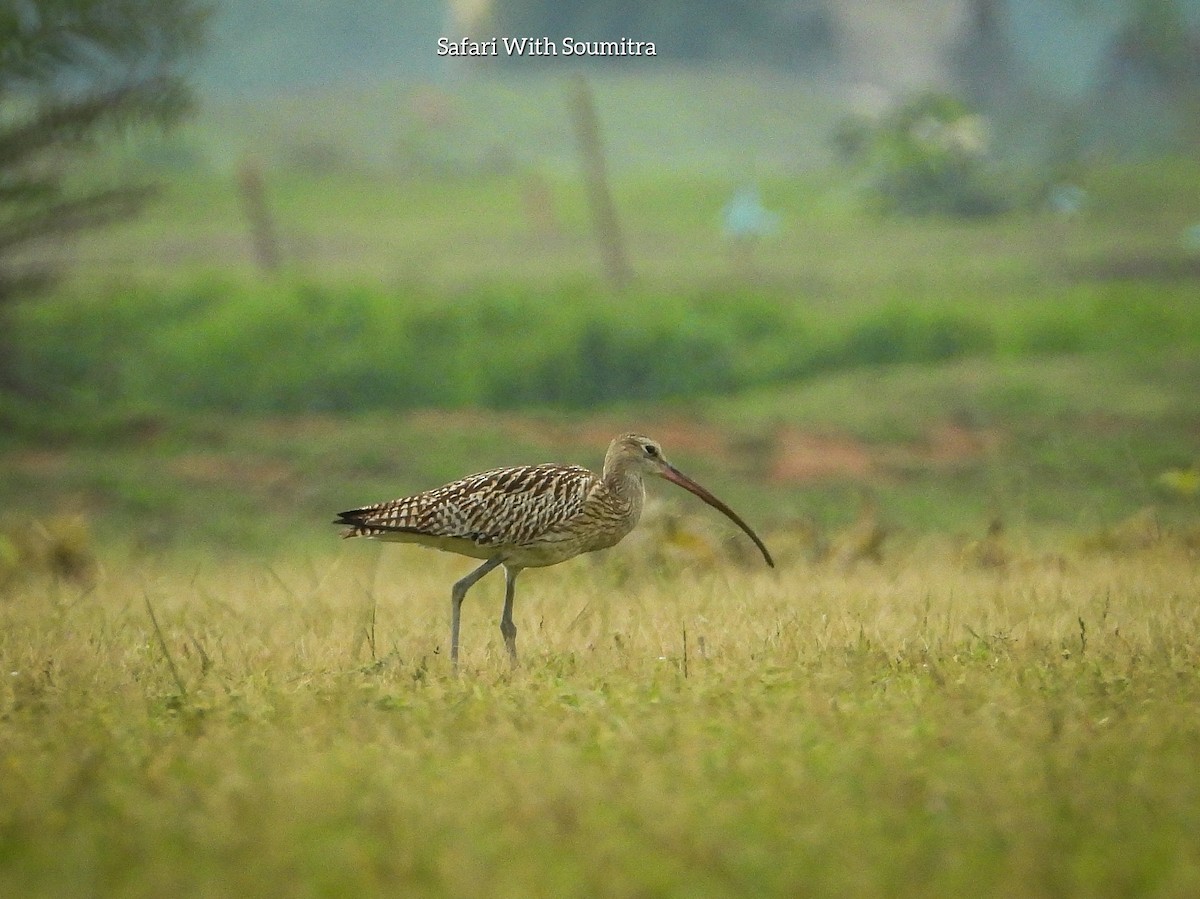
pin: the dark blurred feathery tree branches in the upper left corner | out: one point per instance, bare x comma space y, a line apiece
73, 73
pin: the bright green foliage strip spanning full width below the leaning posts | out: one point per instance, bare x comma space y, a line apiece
302, 347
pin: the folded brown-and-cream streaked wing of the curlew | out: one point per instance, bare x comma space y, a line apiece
508, 507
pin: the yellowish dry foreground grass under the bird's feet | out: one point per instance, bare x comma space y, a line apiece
292, 728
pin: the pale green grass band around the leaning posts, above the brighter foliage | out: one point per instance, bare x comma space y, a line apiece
531, 227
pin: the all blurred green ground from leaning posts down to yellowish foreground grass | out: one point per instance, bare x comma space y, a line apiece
1027, 367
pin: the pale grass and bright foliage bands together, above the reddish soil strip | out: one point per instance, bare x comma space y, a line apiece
497, 316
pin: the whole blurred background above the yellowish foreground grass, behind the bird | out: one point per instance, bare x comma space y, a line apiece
917, 268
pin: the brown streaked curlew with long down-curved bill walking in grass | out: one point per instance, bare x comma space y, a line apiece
530, 517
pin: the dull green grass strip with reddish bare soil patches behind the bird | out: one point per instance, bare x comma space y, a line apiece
1064, 443
